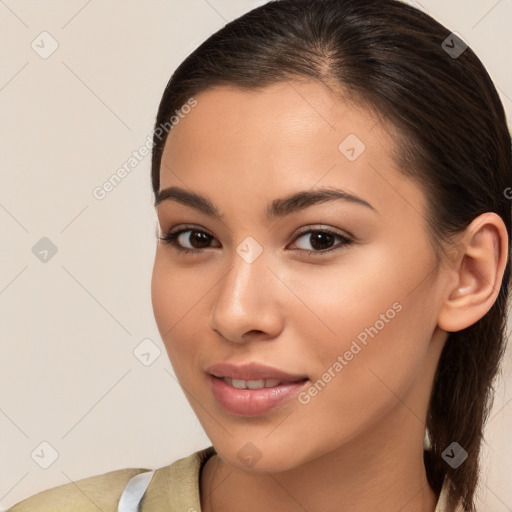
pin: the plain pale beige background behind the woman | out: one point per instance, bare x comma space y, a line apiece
69, 326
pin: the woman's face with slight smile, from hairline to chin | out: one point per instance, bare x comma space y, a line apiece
343, 292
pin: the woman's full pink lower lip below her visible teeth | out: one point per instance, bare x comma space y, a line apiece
252, 402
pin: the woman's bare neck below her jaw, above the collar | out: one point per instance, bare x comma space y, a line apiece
370, 473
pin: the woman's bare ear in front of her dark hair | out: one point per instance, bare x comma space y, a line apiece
476, 271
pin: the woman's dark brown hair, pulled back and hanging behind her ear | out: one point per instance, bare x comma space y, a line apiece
451, 136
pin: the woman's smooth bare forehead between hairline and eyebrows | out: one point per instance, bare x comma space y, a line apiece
282, 138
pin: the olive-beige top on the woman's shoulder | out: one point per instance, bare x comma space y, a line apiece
173, 488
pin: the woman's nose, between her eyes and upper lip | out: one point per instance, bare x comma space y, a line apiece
247, 304
